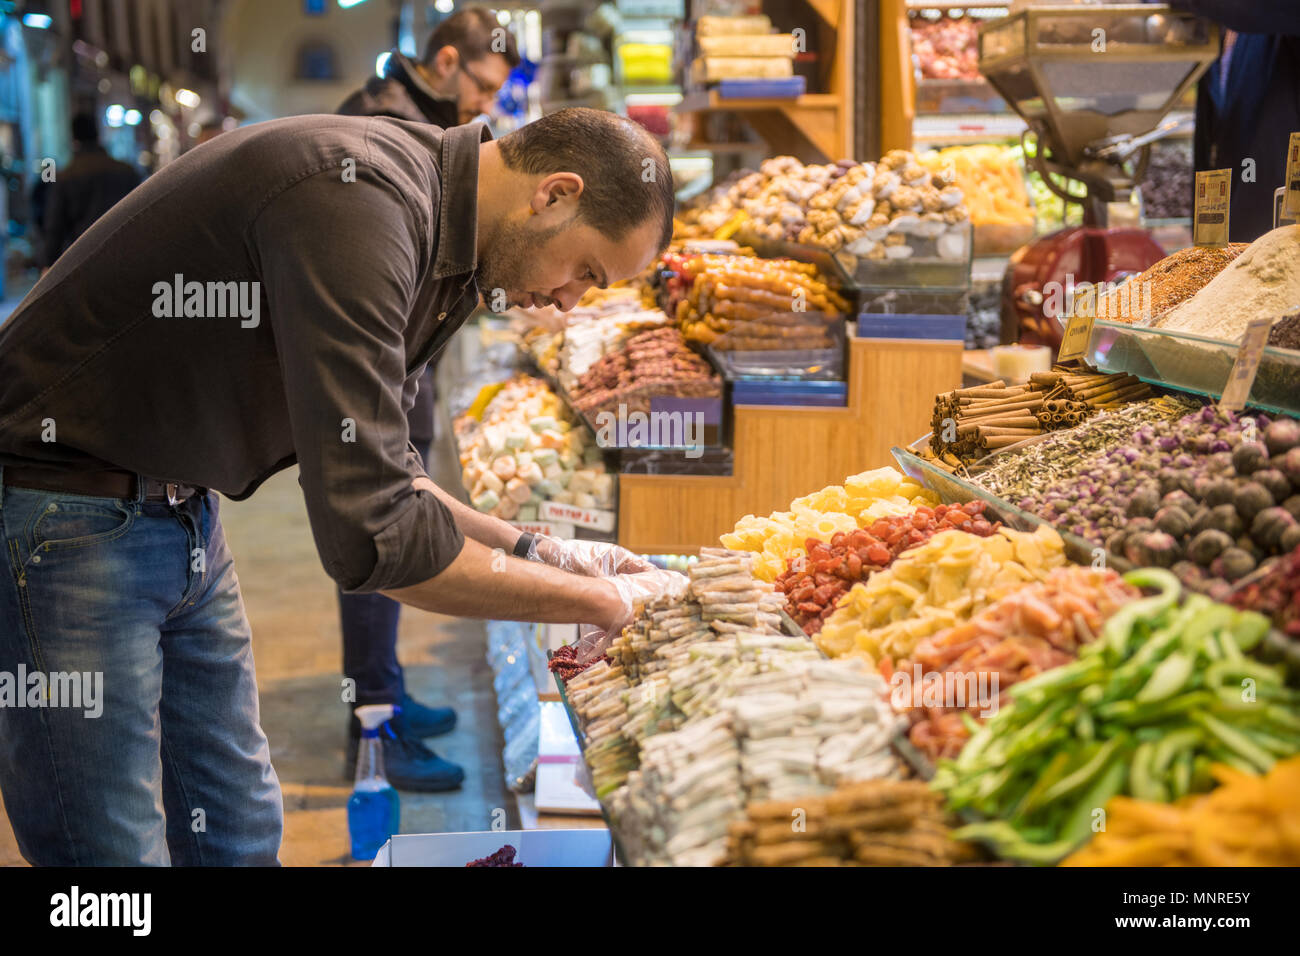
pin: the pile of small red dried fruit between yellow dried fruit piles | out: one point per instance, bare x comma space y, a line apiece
816, 582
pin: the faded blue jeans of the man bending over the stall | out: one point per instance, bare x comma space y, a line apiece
175, 768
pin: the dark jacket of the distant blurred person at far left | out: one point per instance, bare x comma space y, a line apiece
81, 193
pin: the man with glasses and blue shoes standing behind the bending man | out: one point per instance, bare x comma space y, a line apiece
465, 64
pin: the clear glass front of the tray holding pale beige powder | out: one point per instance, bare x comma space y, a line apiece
1194, 364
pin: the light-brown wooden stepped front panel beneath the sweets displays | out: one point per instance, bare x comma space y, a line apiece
783, 453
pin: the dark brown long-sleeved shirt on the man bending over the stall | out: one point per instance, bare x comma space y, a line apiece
361, 236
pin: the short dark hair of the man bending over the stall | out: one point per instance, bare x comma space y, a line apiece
626, 174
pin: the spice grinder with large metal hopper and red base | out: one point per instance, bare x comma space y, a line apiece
1094, 84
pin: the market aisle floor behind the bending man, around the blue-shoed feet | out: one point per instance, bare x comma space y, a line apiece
294, 616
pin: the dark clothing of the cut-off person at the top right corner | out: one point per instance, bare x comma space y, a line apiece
1259, 106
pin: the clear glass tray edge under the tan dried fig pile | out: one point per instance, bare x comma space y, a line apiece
926, 269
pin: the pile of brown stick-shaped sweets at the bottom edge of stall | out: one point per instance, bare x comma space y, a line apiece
873, 824
